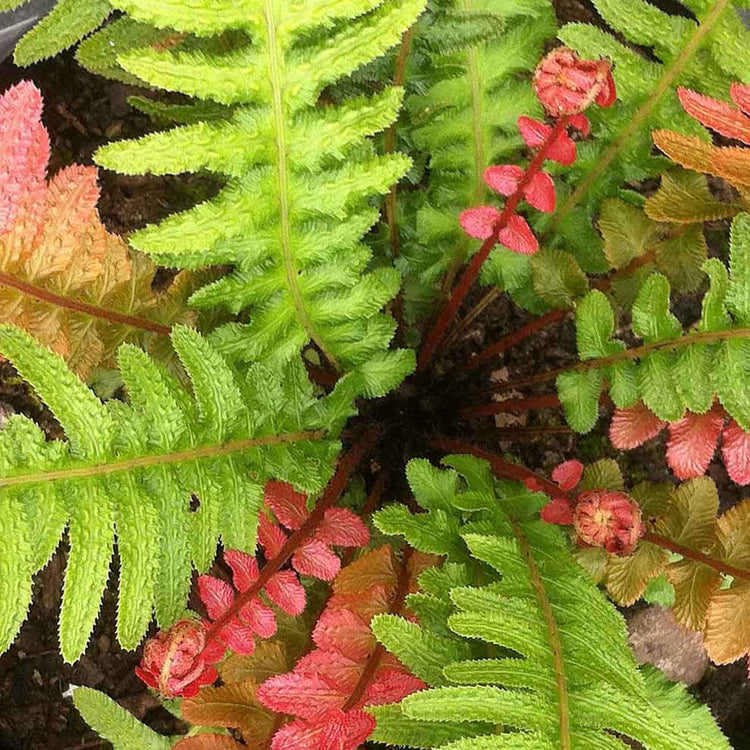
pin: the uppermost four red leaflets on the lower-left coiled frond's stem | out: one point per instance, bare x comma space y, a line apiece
313, 557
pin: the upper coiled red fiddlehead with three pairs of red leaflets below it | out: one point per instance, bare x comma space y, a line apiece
565, 85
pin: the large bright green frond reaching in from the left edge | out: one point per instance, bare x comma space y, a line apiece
130, 470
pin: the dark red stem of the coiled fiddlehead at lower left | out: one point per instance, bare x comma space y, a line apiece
330, 495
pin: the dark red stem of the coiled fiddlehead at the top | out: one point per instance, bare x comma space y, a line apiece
450, 309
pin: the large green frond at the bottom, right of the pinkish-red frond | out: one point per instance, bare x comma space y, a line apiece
506, 634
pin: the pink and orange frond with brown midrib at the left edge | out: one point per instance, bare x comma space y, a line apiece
64, 278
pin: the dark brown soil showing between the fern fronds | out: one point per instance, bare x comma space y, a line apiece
82, 112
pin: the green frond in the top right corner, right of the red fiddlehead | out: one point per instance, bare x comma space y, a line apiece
714, 65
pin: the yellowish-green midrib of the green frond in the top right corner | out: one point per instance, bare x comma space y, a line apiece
665, 82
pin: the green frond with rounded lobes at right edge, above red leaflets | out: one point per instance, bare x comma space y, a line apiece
672, 371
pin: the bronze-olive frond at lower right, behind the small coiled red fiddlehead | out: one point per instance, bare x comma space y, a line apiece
707, 571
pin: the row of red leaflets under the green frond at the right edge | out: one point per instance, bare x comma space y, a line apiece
692, 440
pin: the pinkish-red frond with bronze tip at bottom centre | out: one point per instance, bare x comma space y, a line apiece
325, 690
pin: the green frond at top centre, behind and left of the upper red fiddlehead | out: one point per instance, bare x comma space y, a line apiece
465, 121
